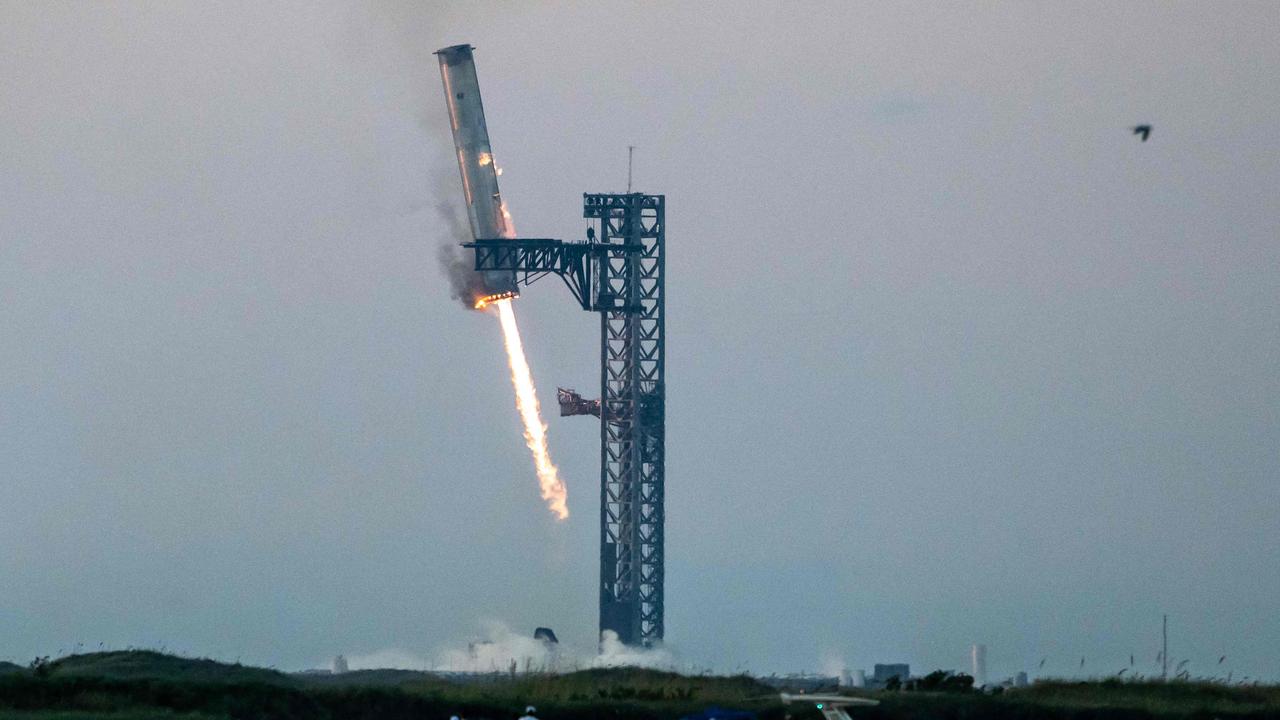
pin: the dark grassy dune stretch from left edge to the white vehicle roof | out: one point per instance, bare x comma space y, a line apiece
132, 686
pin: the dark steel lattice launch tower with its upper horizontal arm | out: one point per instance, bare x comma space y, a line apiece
619, 274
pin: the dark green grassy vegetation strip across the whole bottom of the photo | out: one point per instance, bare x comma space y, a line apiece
149, 686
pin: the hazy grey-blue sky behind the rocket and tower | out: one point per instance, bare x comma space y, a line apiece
953, 357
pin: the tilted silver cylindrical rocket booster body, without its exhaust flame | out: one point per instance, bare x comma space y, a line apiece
486, 209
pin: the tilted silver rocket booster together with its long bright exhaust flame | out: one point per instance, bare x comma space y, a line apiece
490, 220
